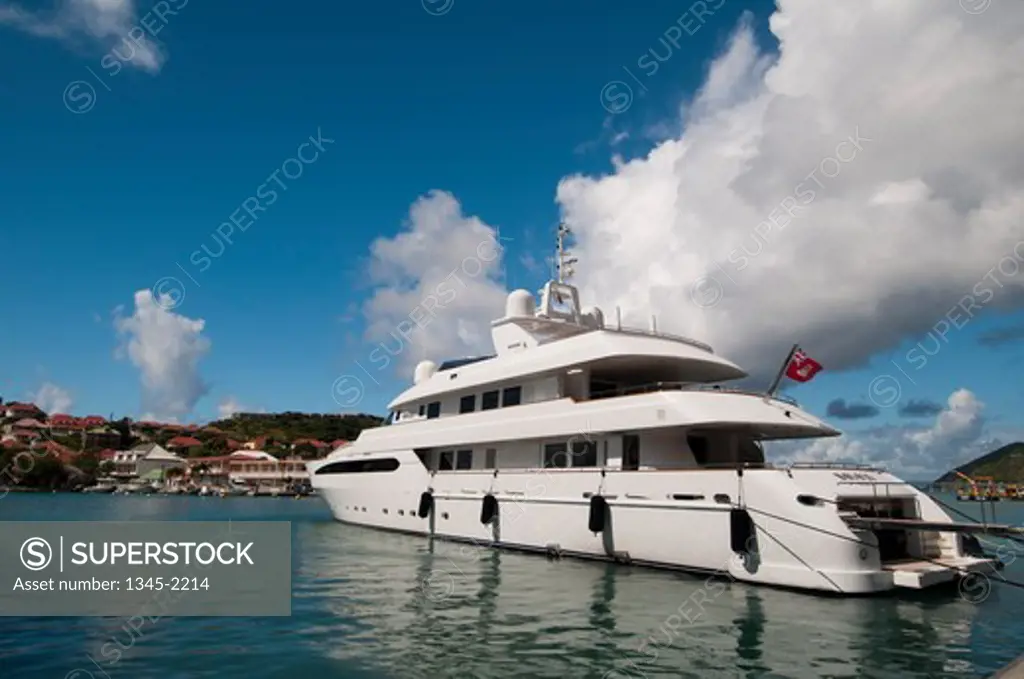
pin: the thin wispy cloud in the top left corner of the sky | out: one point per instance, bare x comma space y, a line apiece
110, 24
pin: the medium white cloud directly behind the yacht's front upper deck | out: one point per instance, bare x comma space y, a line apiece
439, 285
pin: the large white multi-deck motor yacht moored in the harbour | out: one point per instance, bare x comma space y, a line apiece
585, 439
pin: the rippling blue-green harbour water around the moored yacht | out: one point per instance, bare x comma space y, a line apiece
373, 605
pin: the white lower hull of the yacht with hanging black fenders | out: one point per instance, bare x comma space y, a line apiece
682, 520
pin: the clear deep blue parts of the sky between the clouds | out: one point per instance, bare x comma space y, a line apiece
493, 103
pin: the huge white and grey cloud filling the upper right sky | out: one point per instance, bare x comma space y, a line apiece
844, 194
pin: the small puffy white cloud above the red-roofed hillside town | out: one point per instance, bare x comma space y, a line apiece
167, 349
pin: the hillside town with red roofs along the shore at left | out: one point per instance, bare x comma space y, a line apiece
98, 454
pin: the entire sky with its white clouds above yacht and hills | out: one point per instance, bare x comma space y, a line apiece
210, 209
